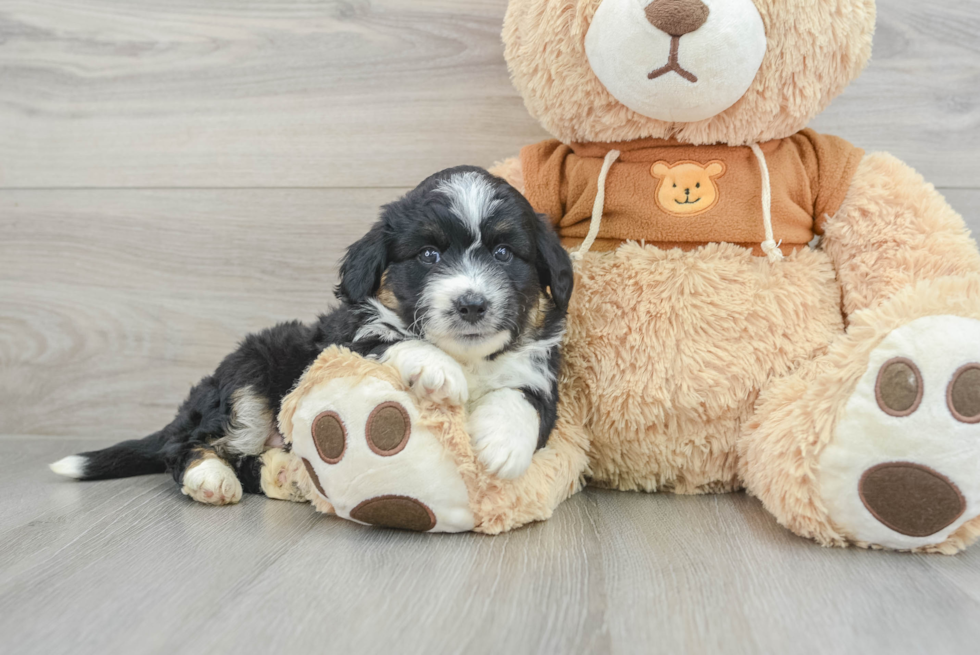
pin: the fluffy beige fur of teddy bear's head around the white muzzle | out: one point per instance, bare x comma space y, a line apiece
815, 49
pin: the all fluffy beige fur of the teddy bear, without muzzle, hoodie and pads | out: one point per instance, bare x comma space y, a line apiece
712, 369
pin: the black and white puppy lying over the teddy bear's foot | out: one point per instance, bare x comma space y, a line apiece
459, 285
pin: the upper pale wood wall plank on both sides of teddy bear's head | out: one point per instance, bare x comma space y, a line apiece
236, 93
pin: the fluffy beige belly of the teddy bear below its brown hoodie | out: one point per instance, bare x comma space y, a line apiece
672, 349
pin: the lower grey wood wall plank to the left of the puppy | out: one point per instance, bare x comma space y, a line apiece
113, 303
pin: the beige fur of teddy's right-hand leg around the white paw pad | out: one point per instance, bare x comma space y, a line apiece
795, 418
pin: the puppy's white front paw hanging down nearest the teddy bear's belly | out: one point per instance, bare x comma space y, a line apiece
504, 431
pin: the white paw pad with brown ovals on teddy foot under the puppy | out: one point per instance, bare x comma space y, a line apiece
367, 452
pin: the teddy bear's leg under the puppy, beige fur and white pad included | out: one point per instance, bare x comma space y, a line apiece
374, 453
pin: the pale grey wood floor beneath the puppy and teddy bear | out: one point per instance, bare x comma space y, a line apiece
131, 566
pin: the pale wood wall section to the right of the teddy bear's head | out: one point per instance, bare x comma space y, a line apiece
920, 97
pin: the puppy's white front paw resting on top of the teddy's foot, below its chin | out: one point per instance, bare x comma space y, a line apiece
431, 373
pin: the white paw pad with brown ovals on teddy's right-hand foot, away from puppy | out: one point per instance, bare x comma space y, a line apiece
903, 468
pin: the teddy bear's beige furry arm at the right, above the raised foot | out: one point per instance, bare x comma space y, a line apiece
894, 230
